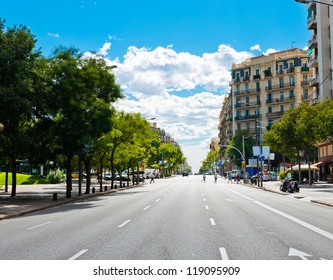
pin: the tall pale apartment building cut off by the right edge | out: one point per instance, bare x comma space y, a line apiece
320, 23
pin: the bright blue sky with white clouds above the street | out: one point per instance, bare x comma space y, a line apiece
173, 56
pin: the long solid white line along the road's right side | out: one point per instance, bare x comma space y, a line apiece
294, 219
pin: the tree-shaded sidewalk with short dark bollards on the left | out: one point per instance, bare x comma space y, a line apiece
32, 198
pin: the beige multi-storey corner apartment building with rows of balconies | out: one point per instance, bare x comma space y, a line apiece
262, 89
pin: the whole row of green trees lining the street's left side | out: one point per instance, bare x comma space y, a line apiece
59, 109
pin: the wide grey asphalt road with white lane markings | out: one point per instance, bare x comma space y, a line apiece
180, 218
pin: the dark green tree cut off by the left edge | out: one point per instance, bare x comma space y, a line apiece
17, 99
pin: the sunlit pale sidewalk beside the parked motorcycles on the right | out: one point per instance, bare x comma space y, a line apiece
320, 193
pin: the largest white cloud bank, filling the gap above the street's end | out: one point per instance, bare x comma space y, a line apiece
184, 92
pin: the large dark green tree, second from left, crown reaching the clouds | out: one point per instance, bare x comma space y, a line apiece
82, 91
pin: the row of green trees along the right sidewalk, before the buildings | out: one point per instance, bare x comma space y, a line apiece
292, 139
